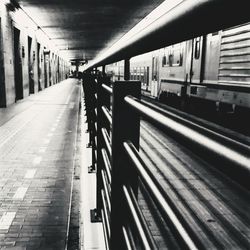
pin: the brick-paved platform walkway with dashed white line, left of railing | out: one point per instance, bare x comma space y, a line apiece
40, 146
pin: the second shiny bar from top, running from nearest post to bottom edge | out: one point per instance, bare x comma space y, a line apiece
165, 208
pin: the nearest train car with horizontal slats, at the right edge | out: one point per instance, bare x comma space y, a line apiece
223, 72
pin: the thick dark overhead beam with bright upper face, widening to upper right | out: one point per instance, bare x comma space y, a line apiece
187, 20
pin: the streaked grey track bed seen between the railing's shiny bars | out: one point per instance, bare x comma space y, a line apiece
212, 205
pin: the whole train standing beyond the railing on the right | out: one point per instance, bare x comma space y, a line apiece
211, 71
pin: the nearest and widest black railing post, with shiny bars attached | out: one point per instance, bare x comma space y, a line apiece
125, 126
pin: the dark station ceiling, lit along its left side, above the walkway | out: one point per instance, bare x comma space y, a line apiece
83, 28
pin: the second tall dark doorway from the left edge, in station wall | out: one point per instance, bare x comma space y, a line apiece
18, 66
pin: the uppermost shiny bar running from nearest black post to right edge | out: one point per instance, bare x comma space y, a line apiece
217, 148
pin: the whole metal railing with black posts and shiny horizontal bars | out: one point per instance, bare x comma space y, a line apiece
115, 148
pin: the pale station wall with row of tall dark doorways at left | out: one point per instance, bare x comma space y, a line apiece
29, 62
